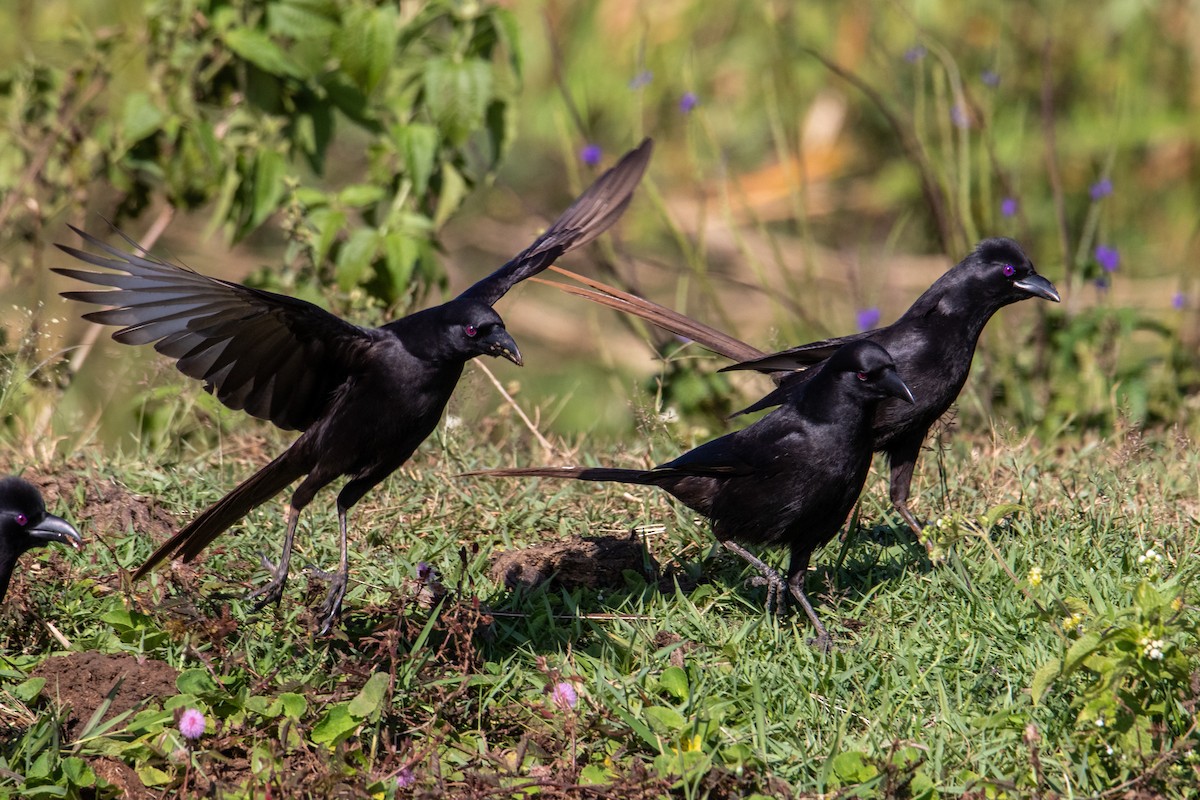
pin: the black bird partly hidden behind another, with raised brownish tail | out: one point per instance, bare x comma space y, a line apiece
933, 344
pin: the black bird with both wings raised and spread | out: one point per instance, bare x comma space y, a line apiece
365, 399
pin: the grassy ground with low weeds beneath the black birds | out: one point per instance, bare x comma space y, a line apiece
685, 687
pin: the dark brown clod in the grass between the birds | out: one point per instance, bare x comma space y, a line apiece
580, 562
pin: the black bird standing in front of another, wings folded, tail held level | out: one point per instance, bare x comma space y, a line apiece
788, 480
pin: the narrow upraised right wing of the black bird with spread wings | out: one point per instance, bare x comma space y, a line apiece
591, 215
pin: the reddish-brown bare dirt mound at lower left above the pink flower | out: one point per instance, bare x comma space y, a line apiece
82, 681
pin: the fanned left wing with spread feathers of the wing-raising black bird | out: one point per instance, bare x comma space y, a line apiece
277, 358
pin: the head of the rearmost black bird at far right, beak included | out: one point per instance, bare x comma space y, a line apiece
997, 274
